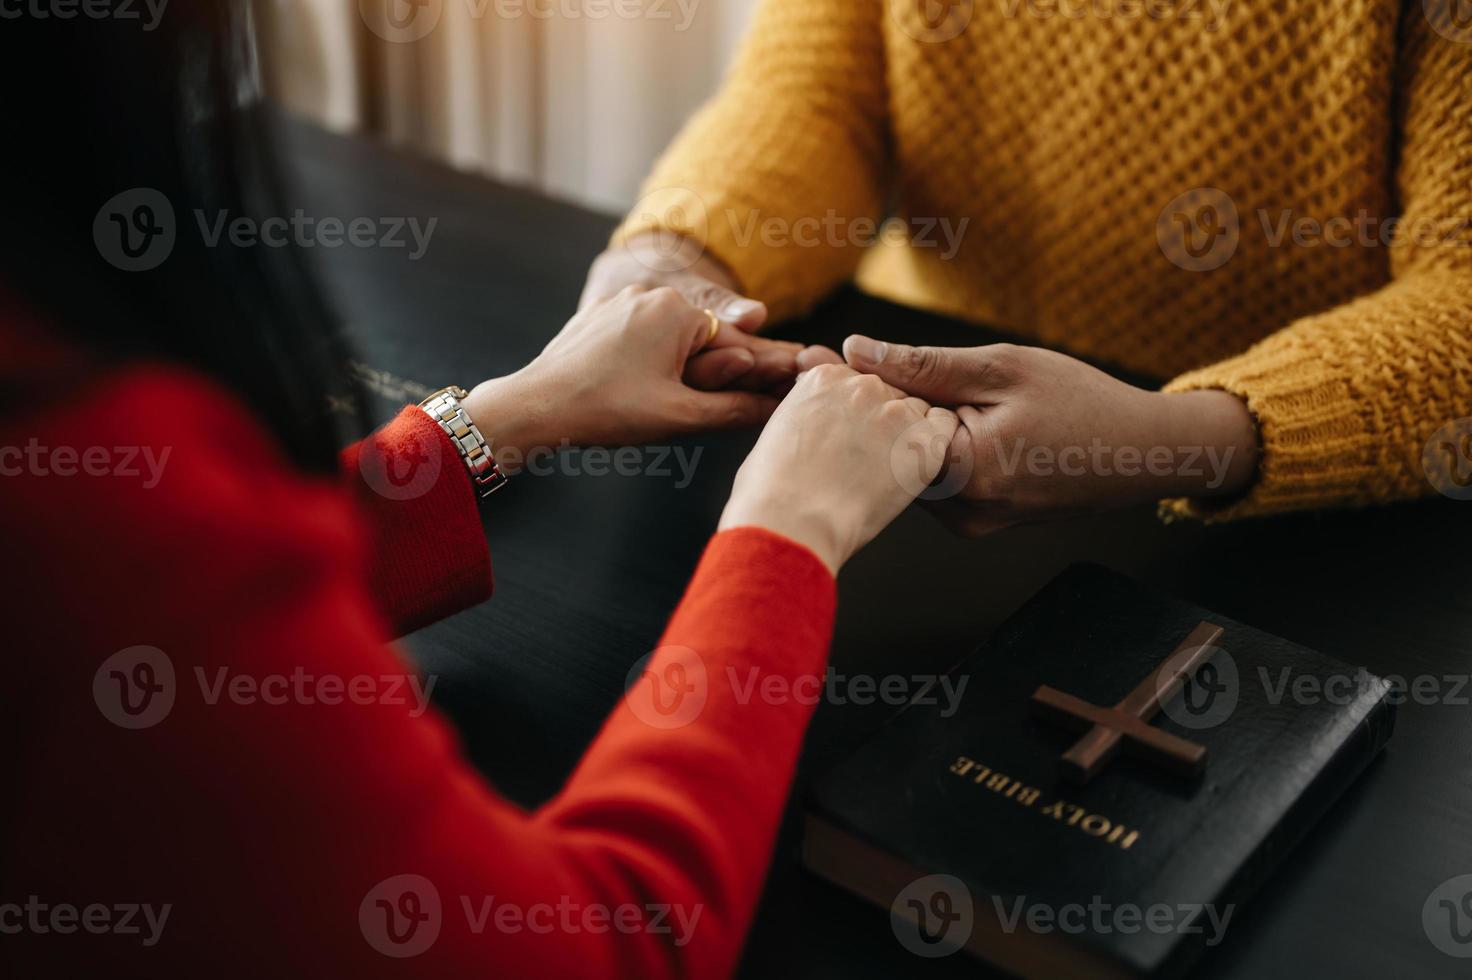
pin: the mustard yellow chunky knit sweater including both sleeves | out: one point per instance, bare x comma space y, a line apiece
1175, 186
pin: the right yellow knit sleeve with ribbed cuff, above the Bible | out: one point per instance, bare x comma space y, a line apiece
1346, 401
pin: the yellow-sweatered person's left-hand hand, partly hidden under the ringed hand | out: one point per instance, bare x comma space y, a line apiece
737, 358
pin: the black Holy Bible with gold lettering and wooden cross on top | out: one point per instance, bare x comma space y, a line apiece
1117, 778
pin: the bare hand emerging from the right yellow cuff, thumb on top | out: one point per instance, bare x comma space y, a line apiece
1044, 436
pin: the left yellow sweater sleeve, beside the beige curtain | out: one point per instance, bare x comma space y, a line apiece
776, 170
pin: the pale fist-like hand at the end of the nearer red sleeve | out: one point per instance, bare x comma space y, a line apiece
837, 463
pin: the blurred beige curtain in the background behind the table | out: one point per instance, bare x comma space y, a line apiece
575, 98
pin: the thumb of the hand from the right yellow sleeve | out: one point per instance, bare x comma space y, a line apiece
947, 376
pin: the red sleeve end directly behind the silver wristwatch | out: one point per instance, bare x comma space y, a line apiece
431, 558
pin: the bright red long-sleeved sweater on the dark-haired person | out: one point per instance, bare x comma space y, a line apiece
282, 806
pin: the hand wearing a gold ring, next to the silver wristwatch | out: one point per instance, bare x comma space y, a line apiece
613, 376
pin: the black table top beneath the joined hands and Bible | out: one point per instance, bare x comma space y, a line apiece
590, 569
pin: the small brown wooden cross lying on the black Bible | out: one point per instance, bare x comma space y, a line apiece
1128, 722
